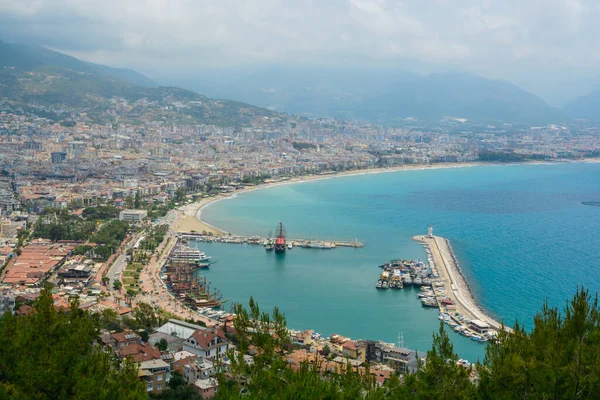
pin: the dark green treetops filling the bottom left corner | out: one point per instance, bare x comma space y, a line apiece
54, 355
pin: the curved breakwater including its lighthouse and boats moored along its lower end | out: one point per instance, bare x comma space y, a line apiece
451, 293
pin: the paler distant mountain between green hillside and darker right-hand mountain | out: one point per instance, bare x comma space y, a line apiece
303, 90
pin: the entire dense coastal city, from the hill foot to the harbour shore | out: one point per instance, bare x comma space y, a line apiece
69, 191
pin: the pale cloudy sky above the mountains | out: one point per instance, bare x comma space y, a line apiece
550, 47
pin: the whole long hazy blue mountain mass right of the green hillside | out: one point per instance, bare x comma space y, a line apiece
378, 95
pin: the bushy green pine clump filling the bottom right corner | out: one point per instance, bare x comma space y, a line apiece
559, 359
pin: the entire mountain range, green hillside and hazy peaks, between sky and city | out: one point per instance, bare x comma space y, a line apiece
380, 95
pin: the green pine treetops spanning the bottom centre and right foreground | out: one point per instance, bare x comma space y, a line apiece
558, 359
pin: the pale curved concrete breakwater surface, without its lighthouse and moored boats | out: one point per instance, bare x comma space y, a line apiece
454, 281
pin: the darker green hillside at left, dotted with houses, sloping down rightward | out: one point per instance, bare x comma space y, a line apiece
31, 75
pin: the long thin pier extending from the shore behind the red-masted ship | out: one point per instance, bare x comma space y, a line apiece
258, 240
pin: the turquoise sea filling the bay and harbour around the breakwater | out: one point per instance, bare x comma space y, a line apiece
520, 233
